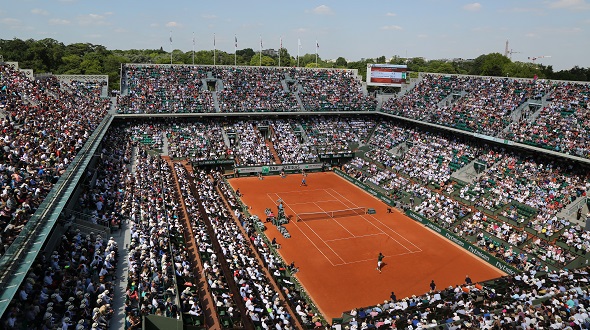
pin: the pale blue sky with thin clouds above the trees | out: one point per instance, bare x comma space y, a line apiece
555, 32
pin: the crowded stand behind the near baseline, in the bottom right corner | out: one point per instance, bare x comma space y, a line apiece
556, 300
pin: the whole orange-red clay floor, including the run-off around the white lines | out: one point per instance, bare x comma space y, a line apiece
337, 258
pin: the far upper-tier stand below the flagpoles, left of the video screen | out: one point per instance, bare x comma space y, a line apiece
198, 89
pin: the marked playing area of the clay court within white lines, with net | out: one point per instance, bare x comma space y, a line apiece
340, 229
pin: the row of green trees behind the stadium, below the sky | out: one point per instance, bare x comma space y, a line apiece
49, 55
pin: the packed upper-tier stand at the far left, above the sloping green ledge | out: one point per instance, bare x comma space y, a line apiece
45, 123
